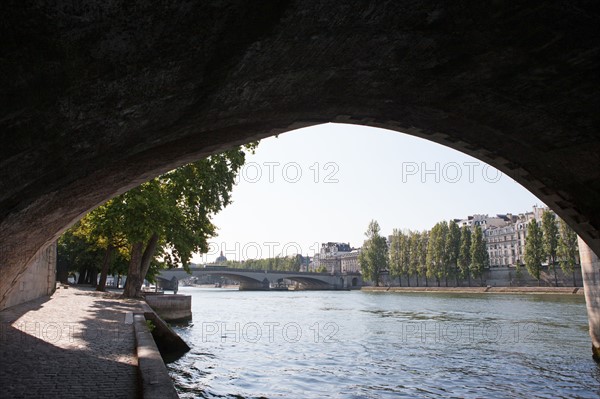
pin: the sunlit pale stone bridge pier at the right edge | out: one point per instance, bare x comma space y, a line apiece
590, 272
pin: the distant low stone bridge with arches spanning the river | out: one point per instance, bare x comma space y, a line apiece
264, 280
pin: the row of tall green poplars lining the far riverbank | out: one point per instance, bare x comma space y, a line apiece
448, 254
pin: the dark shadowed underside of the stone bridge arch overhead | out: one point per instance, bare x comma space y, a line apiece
97, 97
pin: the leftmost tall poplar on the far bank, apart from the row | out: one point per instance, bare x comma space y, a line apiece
373, 257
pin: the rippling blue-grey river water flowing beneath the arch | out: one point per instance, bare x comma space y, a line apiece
316, 344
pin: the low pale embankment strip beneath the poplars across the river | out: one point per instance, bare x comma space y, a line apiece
483, 290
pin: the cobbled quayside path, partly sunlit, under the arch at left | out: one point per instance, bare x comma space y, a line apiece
75, 344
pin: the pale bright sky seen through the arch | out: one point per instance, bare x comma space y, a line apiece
327, 182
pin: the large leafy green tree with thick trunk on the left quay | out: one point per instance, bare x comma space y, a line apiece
169, 216
